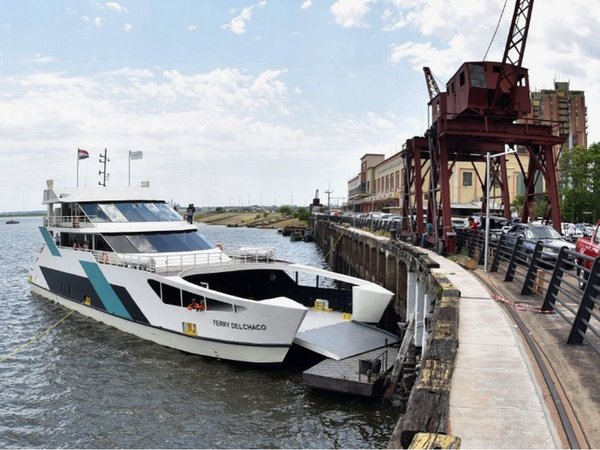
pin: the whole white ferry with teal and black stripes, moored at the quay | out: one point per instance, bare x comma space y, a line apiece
124, 257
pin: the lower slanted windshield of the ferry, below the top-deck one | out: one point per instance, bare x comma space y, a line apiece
158, 242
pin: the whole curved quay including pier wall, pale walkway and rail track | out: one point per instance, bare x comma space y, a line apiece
496, 389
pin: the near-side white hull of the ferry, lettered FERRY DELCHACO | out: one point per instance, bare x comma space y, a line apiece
250, 331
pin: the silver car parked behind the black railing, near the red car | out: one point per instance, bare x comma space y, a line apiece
532, 233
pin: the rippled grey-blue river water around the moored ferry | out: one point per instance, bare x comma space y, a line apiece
86, 385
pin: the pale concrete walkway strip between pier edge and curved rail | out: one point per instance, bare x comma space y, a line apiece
495, 398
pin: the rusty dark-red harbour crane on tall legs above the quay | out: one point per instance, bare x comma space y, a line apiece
483, 110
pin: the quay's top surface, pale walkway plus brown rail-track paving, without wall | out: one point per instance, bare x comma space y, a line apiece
498, 396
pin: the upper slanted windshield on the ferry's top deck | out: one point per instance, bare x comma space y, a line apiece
130, 212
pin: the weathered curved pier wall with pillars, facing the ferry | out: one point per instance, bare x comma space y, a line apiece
429, 297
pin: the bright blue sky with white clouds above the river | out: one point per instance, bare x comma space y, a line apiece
249, 102
